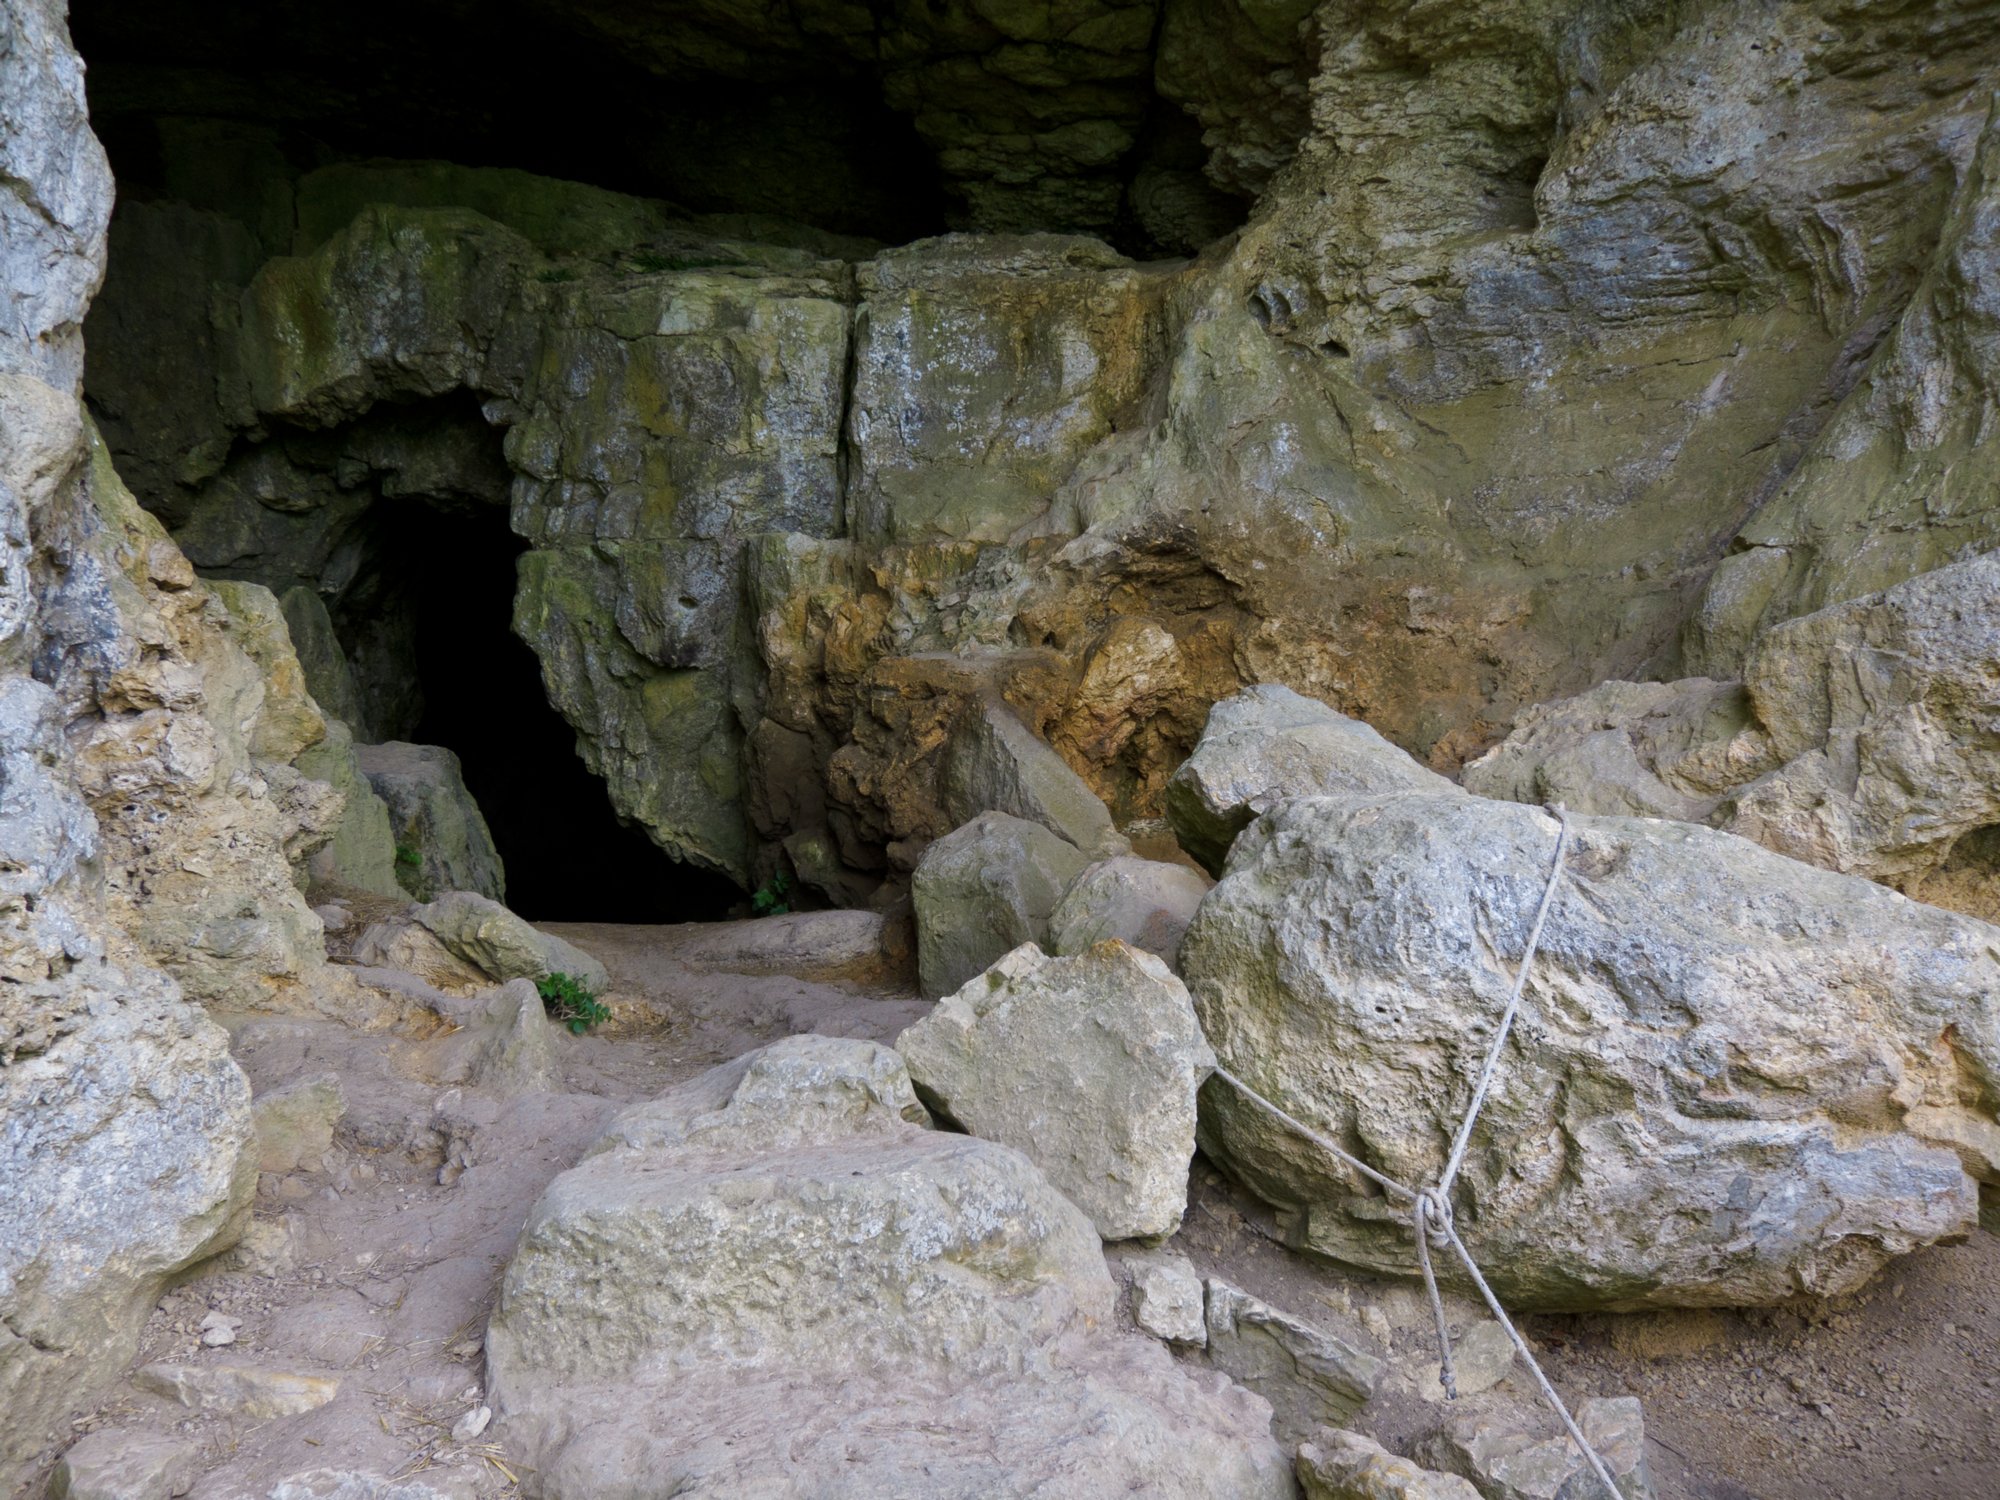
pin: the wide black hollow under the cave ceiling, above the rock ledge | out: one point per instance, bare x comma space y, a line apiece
189, 93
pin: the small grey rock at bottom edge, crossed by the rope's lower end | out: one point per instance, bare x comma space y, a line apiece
1537, 1459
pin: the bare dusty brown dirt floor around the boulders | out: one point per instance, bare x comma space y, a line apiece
381, 1265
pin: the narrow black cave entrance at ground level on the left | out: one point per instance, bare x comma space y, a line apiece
567, 853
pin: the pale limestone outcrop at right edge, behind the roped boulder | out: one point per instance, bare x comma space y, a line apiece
1855, 743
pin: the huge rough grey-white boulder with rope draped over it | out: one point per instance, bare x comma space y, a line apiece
1735, 1077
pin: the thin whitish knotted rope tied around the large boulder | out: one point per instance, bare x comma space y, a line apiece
1431, 1209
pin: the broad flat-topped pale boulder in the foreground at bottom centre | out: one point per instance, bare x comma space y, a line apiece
797, 1289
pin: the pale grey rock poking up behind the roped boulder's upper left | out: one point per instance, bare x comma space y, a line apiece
1267, 745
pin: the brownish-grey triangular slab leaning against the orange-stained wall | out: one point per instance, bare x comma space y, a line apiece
999, 765
